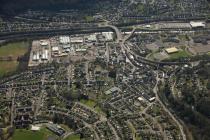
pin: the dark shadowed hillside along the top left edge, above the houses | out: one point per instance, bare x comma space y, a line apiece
12, 7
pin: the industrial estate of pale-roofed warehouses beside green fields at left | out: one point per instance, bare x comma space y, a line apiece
58, 47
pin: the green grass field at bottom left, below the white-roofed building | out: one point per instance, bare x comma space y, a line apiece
22, 134
